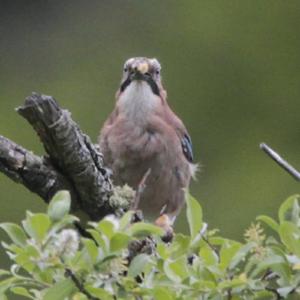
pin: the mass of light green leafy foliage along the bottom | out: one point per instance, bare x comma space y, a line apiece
51, 261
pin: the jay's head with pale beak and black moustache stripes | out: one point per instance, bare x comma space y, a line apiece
142, 70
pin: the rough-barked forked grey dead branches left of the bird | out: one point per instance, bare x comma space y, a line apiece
73, 162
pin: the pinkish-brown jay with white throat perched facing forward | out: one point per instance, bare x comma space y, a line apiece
143, 139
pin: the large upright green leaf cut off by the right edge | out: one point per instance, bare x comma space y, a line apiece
290, 236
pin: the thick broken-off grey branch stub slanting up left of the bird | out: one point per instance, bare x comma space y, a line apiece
71, 152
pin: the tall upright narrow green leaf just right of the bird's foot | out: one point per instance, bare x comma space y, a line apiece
194, 215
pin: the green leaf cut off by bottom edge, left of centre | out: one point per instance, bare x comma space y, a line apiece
60, 290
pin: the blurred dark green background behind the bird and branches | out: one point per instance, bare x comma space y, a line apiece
231, 69
